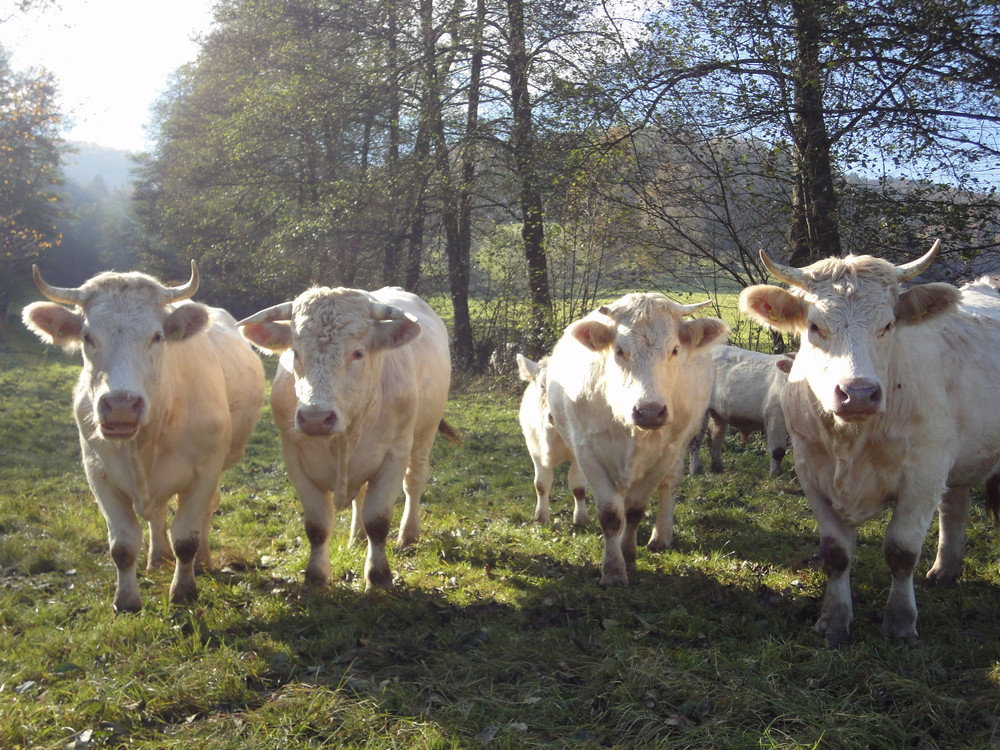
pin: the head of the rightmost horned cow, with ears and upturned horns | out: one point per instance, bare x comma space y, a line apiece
846, 312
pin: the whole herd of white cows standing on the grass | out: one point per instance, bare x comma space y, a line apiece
892, 401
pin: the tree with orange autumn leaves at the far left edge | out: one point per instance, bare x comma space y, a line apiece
30, 149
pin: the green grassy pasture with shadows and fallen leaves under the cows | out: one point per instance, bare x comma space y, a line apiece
496, 635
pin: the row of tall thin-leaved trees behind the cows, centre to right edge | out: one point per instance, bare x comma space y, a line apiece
526, 158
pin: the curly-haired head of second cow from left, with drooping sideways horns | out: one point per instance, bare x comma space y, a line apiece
333, 339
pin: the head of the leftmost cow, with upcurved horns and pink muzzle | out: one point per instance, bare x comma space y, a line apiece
122, 321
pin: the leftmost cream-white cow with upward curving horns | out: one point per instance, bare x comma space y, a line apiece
167, 398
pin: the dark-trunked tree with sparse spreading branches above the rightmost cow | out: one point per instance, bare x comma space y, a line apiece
838, 89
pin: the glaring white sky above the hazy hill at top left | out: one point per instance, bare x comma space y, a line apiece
112, 59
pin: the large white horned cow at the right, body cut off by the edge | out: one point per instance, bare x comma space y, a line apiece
892, 402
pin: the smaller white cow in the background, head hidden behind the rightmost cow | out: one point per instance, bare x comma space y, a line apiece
747, 397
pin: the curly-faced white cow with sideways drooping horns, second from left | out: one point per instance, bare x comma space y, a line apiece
358, 397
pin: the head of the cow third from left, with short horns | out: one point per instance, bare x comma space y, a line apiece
645, 343
